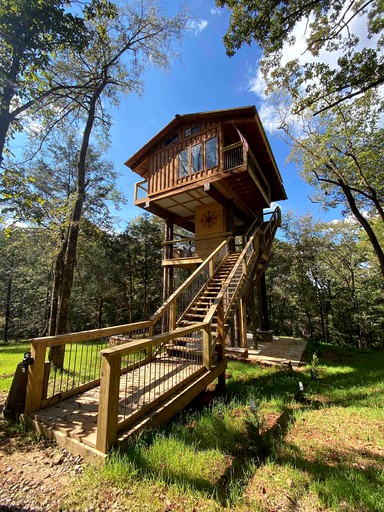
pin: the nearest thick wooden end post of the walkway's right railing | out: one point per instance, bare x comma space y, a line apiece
109, 402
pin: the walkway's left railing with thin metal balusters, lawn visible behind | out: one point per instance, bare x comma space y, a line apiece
80, 362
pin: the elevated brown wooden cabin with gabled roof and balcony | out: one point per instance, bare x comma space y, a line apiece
211, 173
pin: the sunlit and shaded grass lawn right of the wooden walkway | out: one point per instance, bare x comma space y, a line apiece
265, 446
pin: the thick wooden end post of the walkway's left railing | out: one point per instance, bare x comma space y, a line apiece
35, 385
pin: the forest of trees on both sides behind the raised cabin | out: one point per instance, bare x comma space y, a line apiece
63, 265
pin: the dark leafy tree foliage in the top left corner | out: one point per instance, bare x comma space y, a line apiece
31, 32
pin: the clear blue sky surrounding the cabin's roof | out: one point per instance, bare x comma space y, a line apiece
203, 79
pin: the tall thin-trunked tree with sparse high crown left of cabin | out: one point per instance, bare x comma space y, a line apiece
94, 78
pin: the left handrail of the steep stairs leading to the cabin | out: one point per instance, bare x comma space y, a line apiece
170, 304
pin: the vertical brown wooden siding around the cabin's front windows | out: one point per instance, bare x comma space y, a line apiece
163, 160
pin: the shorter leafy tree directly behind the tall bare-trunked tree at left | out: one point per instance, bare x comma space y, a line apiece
54, 182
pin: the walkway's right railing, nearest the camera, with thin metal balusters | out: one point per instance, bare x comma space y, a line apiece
124, 400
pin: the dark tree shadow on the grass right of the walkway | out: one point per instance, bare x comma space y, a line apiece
248, 447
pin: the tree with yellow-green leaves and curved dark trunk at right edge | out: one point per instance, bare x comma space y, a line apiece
339, 154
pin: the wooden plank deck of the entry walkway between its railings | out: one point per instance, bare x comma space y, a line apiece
76, 417
